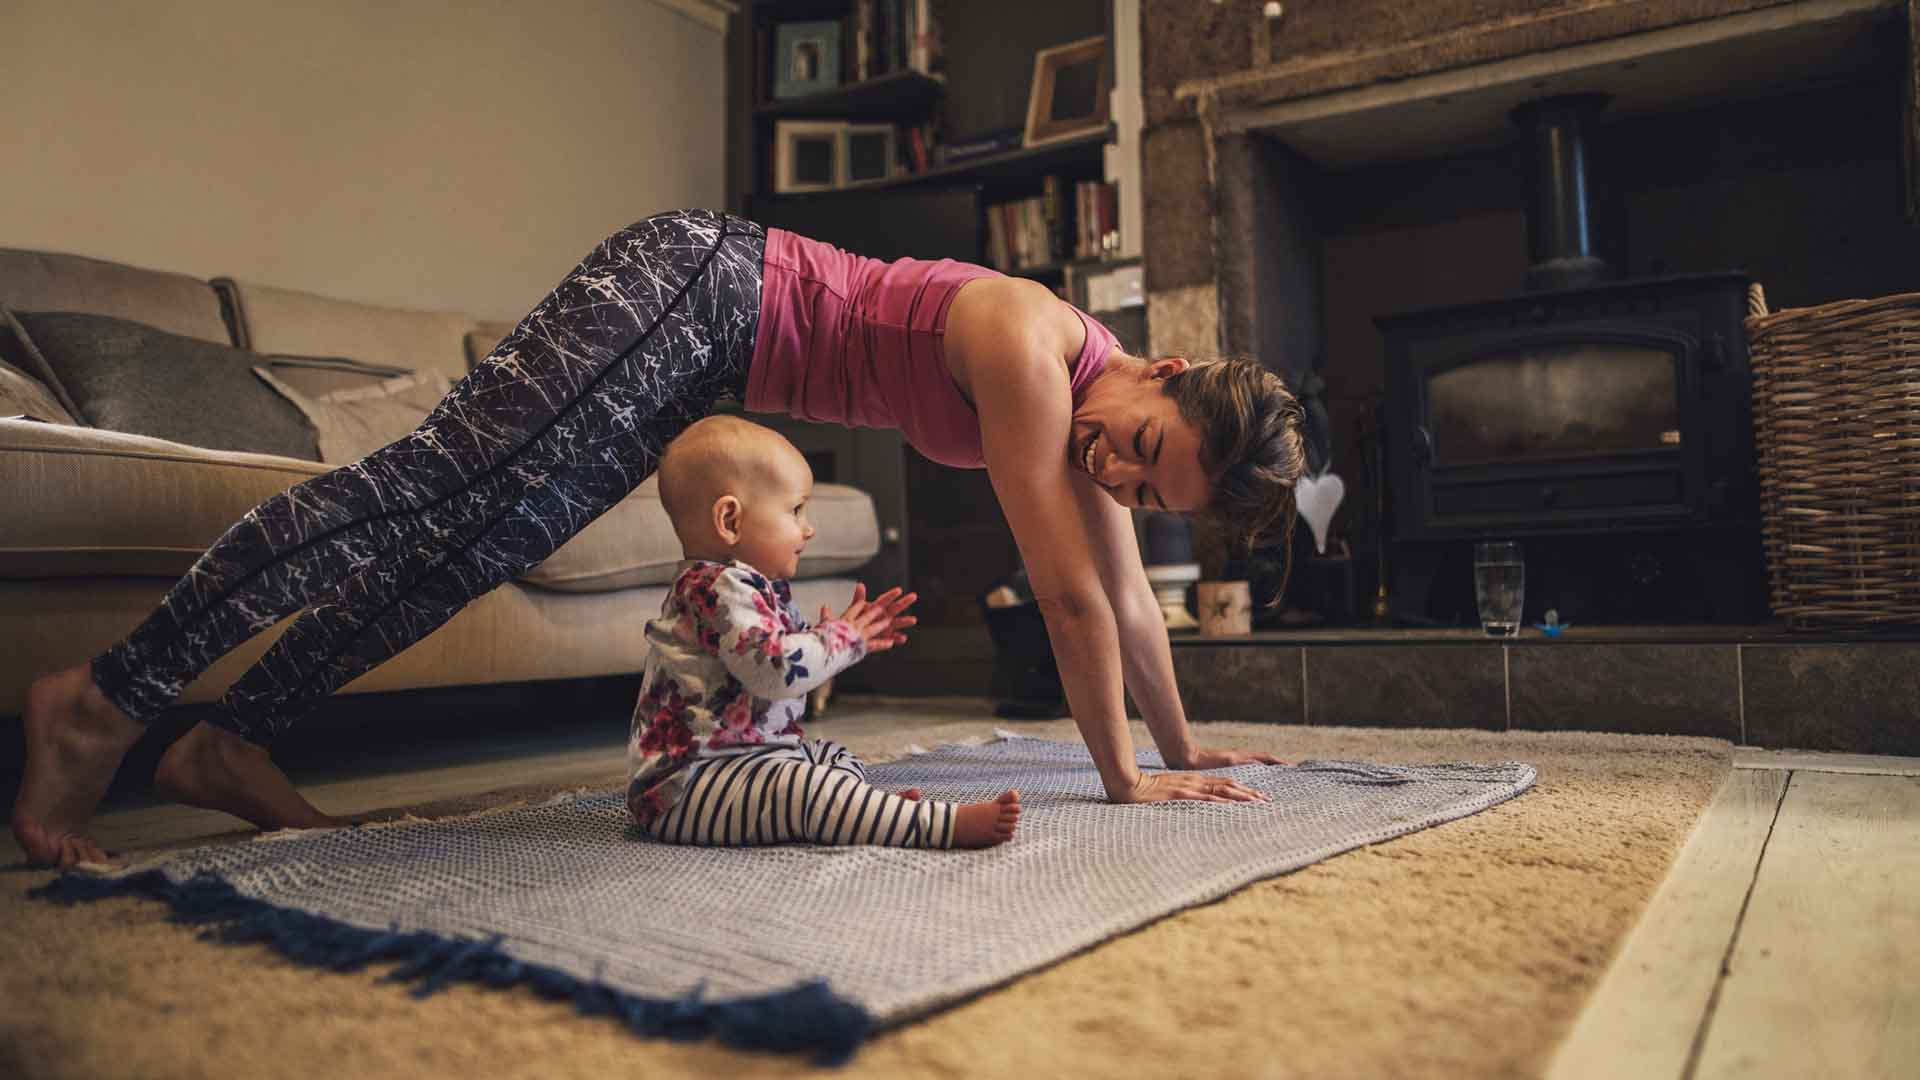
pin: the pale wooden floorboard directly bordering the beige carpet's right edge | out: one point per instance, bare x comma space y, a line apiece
1648, 1008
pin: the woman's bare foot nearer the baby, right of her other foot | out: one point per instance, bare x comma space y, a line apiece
218, 770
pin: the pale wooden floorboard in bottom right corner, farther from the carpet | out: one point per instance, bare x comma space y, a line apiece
1825, 977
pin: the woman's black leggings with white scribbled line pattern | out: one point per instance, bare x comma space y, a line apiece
564, 420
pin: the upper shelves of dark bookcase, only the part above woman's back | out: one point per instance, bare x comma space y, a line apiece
965, 89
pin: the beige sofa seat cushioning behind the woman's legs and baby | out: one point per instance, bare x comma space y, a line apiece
101, 503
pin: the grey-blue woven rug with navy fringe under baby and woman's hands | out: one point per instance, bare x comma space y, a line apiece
565, 887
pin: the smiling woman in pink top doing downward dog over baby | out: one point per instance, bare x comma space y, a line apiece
573, 410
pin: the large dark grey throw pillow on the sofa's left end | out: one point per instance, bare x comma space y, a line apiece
130, 378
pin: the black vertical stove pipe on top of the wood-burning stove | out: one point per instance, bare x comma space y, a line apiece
1560, 222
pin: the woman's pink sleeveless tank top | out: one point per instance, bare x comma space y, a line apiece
855, 341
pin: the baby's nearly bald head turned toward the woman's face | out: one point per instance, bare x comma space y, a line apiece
738, 491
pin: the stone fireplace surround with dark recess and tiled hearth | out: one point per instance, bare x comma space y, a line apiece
1355, 159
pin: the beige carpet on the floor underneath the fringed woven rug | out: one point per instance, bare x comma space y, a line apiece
1464, 950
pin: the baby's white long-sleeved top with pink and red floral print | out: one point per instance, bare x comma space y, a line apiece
731, 668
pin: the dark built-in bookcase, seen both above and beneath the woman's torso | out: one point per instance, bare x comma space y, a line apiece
955, 543
